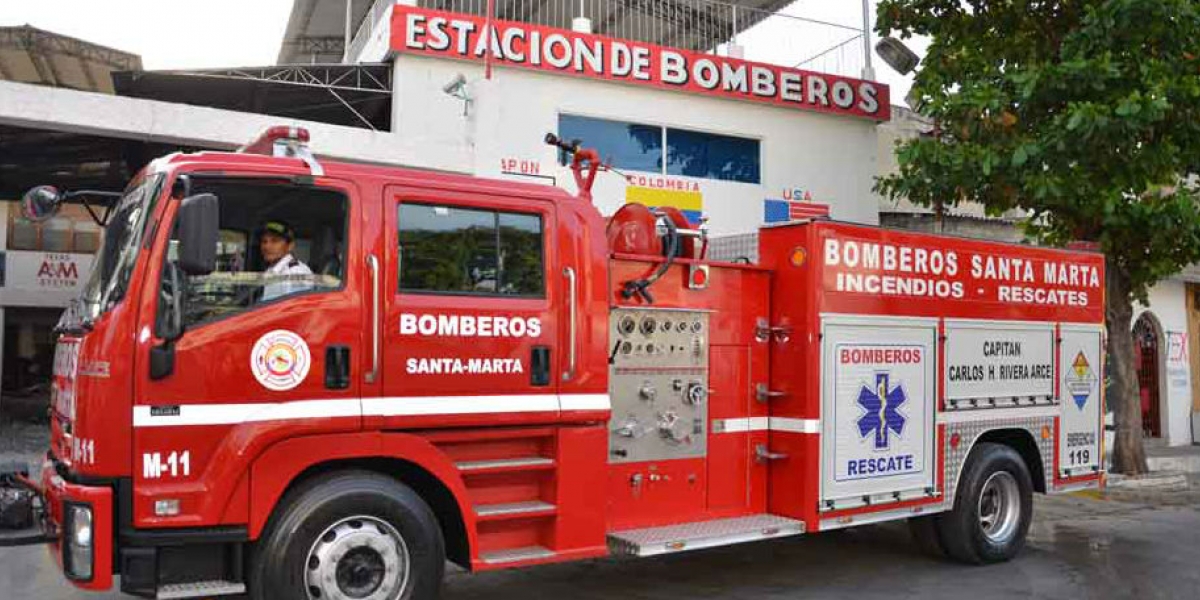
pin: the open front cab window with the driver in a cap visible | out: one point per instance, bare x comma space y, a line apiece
278, 242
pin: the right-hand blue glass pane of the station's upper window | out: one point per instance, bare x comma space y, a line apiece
711, 157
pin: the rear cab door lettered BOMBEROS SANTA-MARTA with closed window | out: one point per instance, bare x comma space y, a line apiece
470, 333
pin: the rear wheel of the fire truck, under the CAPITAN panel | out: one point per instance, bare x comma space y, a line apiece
993, 508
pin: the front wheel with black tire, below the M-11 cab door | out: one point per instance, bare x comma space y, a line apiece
350, 535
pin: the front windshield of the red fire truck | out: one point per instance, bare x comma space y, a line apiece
115, 262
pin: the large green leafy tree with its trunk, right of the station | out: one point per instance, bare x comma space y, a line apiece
1084, 113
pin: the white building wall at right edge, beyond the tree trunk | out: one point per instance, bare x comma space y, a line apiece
1168, 305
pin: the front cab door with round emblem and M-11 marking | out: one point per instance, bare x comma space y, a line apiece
248, 371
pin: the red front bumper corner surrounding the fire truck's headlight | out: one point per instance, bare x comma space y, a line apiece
59, 496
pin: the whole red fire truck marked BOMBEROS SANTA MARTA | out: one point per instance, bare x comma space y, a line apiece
493, 374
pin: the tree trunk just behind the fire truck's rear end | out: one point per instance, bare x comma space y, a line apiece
1129, 453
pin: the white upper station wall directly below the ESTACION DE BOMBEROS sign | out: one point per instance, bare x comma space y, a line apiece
832, 158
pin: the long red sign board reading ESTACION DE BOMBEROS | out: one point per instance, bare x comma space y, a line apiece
559, 51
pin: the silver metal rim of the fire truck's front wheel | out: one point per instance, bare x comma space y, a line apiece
358, 559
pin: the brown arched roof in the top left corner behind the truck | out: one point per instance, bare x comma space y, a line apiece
33, 56
